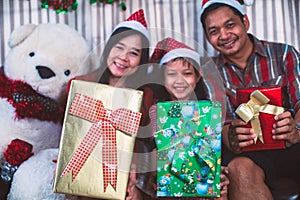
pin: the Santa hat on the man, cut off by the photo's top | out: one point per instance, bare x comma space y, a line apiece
237, 4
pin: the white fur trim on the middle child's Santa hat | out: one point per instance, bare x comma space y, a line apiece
180, 52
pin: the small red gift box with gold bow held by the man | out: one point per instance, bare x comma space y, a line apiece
258, 107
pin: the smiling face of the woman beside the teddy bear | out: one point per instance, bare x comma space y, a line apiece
125, 56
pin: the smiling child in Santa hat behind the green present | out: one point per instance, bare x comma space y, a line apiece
179, 65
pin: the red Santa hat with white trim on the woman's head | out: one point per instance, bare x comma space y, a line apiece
136, 22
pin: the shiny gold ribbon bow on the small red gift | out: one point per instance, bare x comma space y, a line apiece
250, 111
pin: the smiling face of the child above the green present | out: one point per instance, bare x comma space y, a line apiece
180, 79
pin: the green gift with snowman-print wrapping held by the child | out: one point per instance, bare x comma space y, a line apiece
188, 141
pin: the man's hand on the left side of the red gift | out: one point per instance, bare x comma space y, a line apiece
239, 136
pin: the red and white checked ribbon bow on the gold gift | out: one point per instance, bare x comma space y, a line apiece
105, 122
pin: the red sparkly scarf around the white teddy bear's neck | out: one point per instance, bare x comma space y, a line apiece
28, 103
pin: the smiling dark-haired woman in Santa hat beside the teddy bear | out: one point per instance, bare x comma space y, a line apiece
125, 56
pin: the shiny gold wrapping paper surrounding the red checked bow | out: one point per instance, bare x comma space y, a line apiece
89, 181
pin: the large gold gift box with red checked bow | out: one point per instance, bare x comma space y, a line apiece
97, 141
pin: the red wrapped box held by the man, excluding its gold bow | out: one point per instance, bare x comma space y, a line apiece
274, 94
